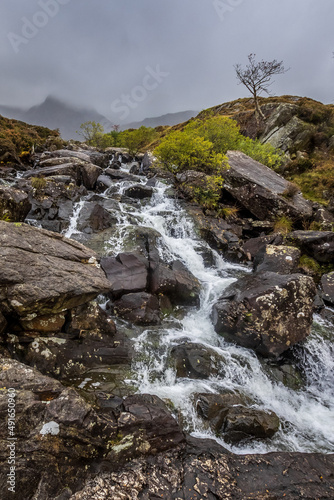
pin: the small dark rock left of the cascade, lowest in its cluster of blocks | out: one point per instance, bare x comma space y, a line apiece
141, 308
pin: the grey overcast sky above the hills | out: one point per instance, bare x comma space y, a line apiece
132, 59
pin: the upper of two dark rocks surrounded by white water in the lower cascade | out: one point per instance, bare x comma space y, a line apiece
192, 360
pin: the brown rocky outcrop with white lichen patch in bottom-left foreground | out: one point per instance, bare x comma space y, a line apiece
53, 422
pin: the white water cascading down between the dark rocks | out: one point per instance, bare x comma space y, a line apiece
306, 415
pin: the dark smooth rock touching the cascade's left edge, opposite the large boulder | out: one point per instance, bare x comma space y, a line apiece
179, 284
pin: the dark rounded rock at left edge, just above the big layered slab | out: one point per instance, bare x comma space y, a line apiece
14, 204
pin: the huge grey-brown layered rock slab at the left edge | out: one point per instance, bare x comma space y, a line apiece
43, 273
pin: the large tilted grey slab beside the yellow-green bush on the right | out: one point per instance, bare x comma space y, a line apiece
261, 191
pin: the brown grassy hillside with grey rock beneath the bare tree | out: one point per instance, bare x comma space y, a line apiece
299, 126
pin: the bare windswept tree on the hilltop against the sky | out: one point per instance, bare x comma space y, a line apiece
257, 77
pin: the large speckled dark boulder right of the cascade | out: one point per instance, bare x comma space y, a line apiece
267, 312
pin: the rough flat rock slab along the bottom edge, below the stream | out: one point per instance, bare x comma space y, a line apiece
204, 470
